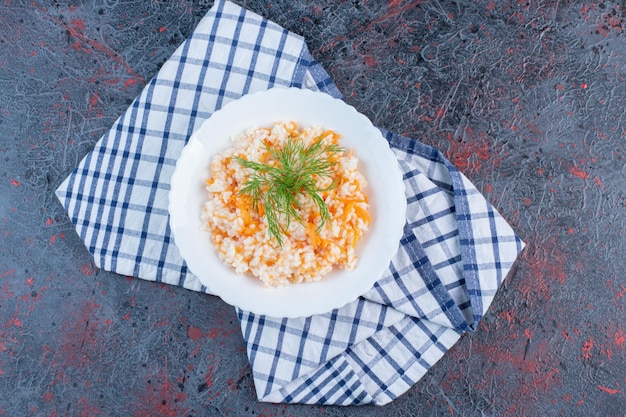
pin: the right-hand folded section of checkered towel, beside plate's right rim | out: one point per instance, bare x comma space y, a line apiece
456, 249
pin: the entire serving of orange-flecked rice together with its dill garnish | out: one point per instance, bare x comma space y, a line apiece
286, 204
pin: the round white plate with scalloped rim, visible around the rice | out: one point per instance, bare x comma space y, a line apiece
377, 163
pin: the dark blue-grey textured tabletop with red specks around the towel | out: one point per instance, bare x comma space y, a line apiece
527, 98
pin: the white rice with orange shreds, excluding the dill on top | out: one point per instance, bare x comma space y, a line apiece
239, 229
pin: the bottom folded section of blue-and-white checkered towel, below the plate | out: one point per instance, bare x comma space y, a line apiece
381, 366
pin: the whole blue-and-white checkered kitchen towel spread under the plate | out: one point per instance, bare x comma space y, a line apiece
454, 254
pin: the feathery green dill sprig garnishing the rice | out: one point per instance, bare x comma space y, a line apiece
291, 171
